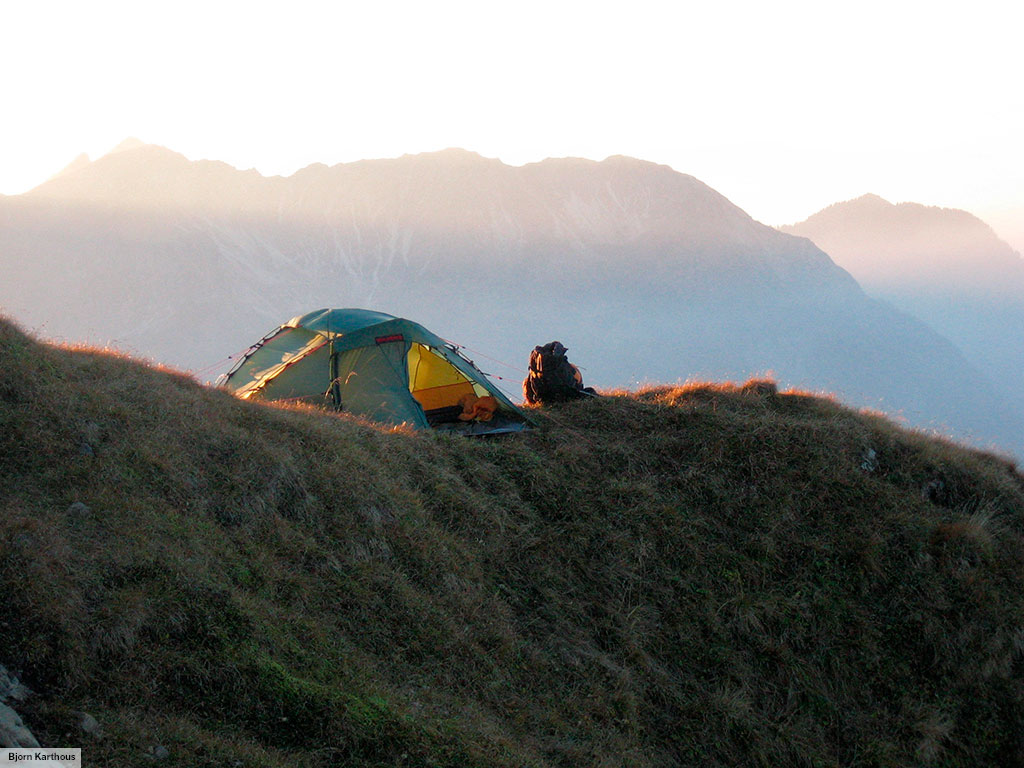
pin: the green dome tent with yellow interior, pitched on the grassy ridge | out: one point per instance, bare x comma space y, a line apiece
374, 365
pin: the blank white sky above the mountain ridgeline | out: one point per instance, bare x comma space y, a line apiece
783, 107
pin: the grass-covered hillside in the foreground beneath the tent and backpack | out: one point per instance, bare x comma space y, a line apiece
701, 576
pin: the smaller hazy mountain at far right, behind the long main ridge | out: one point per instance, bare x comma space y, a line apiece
945, 267
